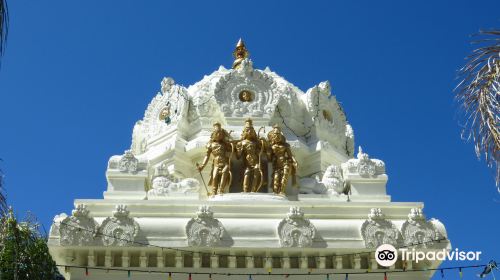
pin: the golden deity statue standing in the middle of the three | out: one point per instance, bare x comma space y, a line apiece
250, 148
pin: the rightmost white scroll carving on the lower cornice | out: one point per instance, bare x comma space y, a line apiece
419, 232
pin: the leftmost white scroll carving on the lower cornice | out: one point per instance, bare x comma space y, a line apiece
78, 229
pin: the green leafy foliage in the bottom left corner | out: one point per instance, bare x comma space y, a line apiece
23, 251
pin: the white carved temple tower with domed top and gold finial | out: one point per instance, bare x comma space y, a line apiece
157, 215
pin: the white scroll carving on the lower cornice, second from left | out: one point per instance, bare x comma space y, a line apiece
119, 230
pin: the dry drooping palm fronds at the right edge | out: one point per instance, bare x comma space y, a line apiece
478, 93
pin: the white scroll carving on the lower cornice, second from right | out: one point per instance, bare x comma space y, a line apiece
377, 230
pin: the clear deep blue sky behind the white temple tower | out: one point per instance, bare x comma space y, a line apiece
78, 74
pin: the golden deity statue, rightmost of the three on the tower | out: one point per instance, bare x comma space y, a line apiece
283, 161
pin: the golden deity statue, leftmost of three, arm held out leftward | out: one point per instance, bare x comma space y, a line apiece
221, 148
